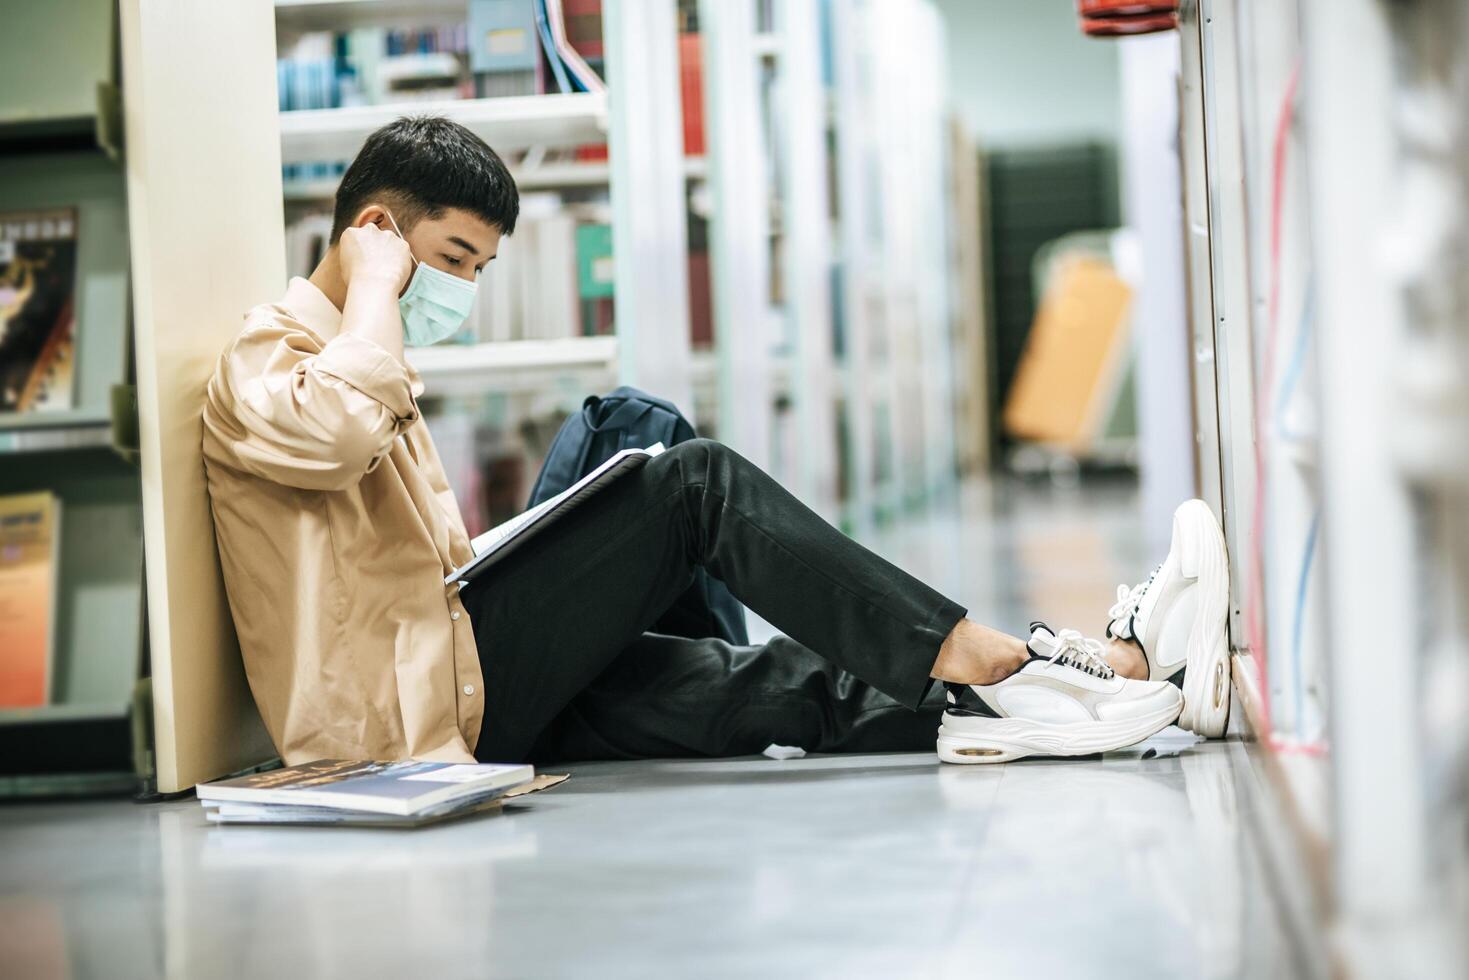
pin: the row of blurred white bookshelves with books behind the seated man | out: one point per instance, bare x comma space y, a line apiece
760, 258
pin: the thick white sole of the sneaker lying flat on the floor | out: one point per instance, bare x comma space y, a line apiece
1007, 740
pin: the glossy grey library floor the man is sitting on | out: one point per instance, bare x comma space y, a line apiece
1139, 865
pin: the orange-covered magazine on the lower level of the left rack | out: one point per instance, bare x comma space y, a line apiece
30, 537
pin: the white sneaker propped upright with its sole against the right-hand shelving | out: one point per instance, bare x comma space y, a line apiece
1179, 618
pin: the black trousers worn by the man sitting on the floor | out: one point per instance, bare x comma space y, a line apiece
571, 674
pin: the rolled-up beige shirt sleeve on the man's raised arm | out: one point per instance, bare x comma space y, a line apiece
305, 415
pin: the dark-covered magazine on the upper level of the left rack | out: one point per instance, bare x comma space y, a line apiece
37, 309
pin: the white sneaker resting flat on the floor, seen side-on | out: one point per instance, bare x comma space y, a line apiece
1064, 702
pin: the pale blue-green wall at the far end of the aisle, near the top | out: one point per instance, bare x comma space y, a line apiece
1022, 73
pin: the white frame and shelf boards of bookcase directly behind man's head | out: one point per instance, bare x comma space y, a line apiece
534, 124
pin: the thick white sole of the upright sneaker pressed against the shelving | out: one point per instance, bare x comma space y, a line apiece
1207, 680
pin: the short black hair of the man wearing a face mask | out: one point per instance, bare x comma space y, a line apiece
422, 167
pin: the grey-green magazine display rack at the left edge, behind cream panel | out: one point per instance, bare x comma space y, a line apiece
51, 159
